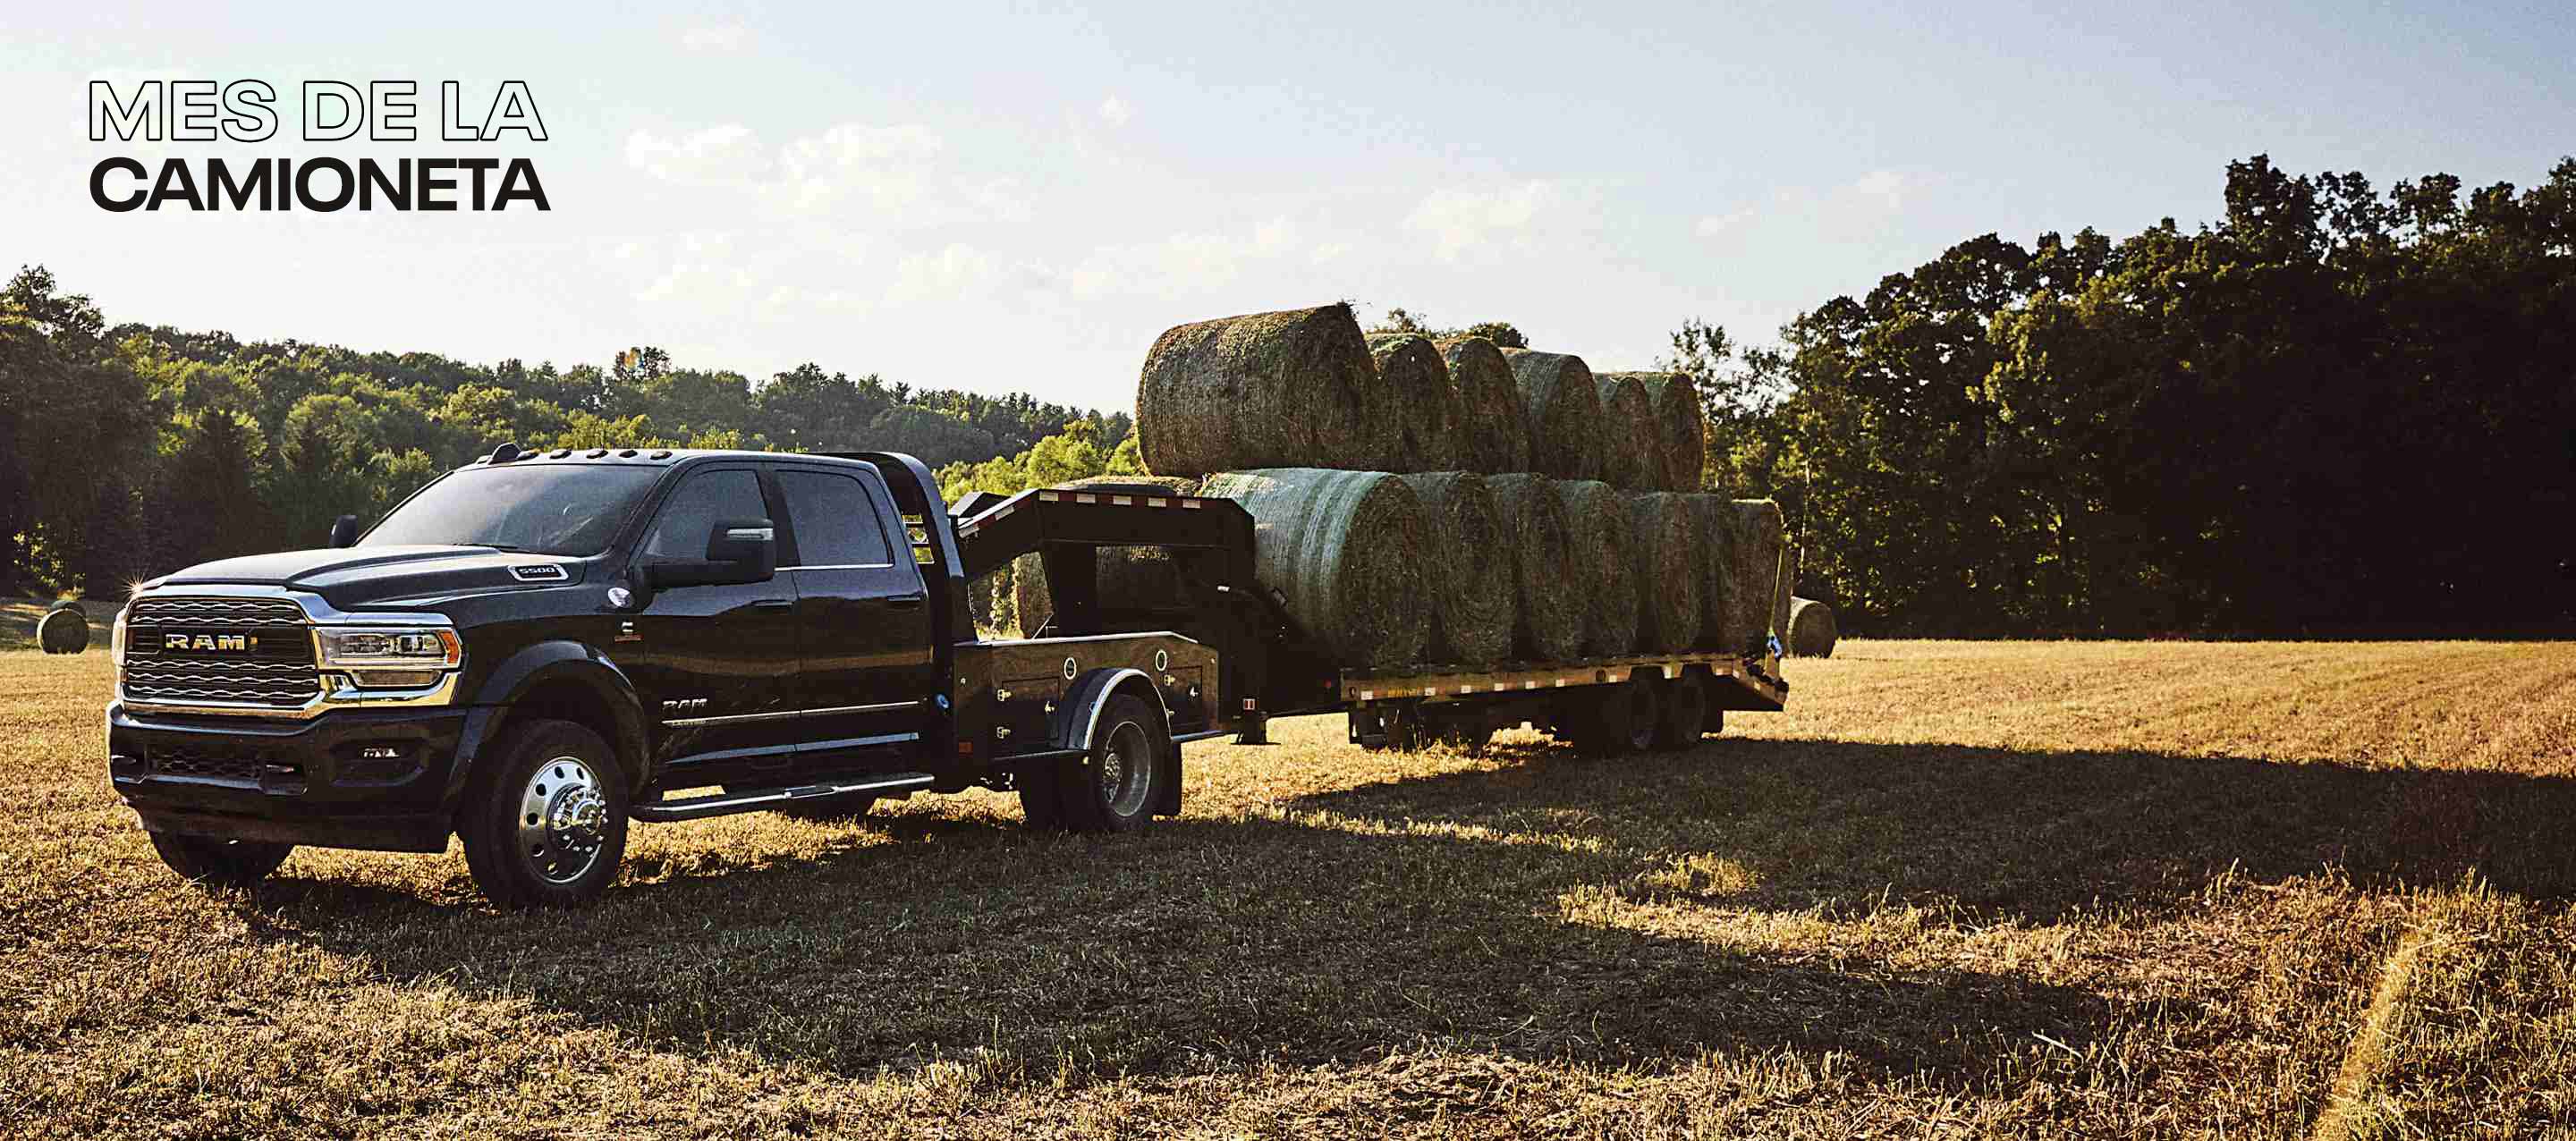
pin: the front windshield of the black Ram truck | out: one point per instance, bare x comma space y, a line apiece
558, 509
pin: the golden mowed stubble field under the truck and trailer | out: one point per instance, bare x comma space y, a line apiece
1962, 890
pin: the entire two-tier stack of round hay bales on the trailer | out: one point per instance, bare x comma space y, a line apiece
1452, 501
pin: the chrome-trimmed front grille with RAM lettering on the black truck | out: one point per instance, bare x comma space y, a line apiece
272, 666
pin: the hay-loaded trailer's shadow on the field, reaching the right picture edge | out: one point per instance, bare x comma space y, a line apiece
2011, 833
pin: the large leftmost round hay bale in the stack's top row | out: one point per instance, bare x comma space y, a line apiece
1261, 390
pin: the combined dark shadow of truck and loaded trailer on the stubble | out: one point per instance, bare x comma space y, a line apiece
1467, 913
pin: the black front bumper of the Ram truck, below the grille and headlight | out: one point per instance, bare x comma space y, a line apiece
352, 779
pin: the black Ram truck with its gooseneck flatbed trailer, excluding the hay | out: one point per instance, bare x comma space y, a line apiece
542, 648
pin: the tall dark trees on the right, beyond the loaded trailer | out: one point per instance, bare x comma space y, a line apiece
2333, 411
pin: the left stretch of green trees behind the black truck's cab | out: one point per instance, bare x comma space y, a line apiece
130, 452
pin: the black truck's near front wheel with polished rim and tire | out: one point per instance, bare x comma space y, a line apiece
545, 818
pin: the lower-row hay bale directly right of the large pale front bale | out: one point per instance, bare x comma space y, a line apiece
1464, 570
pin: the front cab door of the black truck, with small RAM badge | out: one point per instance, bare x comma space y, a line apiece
712, 663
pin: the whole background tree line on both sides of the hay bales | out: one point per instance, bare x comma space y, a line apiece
2330, 411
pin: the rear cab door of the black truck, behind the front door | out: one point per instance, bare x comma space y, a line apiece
862, 619
